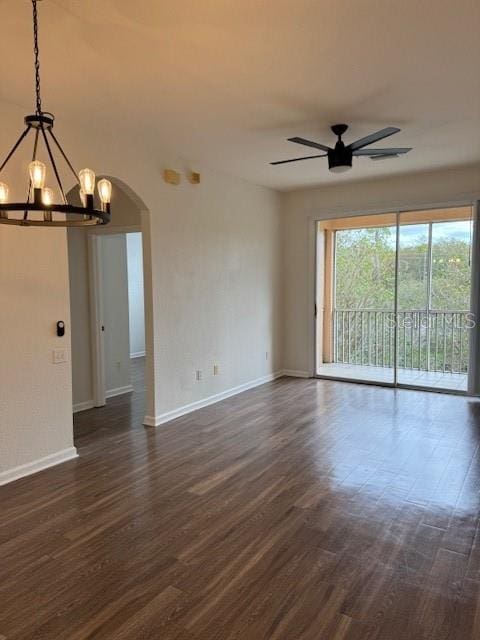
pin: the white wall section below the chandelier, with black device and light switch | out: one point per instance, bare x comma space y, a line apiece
35, 394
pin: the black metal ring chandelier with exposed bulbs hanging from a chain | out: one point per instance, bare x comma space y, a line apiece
41, 199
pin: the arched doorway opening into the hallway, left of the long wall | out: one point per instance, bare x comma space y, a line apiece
111, 333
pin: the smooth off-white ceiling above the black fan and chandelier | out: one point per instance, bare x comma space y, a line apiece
223, 83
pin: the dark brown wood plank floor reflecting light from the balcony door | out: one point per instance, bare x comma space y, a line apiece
299, 510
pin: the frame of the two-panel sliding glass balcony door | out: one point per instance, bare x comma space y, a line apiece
473, 380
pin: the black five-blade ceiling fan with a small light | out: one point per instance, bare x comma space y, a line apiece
340, 157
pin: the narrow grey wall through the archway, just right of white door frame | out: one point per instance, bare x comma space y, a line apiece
113, 250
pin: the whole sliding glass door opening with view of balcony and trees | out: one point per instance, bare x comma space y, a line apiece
394, 299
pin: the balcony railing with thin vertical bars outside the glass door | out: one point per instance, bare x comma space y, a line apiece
427, 340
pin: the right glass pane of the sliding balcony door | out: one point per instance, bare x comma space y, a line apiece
433, 302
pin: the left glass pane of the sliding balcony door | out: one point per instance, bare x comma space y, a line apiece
362, 314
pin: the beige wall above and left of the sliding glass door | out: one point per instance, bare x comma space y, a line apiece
300, 210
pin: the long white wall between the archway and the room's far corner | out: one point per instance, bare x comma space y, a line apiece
217, 295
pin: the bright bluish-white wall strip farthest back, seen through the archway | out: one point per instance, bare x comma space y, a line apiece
135, 294
